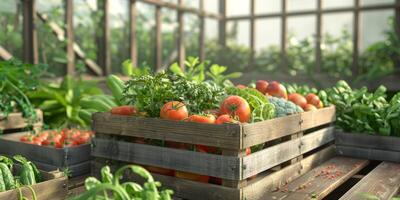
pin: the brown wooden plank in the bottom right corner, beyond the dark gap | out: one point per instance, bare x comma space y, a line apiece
382, 182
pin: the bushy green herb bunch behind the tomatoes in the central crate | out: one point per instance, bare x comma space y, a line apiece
150, 92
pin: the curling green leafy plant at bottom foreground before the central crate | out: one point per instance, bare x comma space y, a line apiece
110, 187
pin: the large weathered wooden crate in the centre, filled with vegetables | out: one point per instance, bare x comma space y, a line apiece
308, 134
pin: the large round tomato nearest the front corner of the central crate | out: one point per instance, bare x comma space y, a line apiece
236, 106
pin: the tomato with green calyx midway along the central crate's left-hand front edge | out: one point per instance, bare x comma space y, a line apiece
174, 110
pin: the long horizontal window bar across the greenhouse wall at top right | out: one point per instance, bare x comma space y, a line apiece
314, 12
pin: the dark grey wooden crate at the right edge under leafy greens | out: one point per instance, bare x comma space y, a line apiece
372, 147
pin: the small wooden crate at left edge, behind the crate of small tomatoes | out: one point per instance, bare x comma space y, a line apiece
16, 123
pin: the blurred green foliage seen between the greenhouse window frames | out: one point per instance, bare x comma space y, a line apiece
377, 60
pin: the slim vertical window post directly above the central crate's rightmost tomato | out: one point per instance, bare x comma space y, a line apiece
318, 38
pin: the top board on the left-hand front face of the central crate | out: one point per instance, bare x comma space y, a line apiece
225, 136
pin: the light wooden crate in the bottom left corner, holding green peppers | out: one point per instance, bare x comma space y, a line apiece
53, 187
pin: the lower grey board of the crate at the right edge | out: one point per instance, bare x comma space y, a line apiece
371, 154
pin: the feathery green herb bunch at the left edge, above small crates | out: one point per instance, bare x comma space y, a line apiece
16, 79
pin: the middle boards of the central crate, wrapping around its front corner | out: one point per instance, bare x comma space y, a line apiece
227, 167
